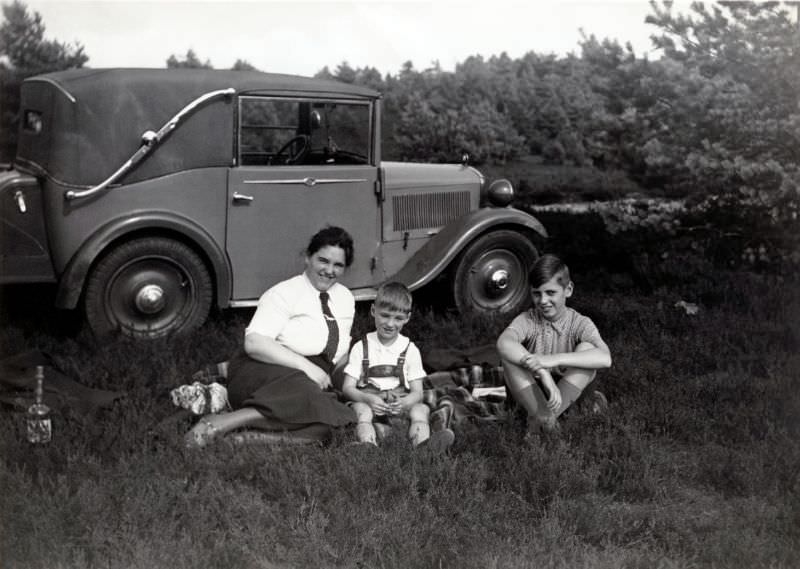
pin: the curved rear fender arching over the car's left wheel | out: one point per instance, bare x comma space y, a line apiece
72, 280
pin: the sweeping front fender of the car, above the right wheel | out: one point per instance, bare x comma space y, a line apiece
434, 257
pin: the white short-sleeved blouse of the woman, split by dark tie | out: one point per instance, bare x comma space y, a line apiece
290, 313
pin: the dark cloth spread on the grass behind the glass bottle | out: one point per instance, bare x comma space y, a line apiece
17, 382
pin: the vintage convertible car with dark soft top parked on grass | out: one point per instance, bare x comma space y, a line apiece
150, 196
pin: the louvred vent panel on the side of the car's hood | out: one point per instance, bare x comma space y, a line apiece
420, 211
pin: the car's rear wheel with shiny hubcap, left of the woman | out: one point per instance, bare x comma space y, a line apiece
149, 288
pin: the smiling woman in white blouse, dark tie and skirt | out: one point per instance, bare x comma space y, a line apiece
300, 330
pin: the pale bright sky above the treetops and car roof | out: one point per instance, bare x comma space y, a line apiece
302, 37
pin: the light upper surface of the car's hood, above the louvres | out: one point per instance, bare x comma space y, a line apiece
405, 175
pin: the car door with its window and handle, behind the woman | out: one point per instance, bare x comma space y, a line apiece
303, 164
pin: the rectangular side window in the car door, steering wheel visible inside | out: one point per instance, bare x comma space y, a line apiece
287, 132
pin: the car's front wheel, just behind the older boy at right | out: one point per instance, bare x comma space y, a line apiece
491, 274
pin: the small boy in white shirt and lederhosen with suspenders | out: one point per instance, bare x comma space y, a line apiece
383, 377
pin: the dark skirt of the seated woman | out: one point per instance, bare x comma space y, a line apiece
283, 394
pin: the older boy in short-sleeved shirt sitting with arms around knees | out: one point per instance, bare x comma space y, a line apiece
550, 340
